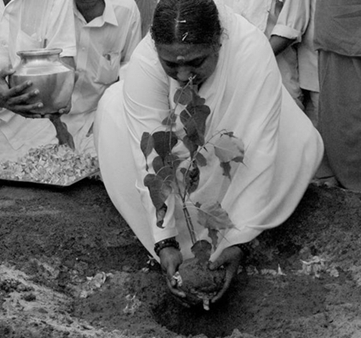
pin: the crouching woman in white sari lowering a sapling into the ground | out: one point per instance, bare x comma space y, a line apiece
233, 68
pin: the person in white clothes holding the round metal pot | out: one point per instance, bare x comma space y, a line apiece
24, 25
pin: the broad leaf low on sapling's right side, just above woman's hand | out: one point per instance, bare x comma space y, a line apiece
213, 216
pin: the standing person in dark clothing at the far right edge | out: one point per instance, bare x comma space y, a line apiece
338, 41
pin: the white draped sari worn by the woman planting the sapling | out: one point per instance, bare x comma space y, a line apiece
246, 96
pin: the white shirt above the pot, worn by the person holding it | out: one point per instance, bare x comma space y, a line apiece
29, 24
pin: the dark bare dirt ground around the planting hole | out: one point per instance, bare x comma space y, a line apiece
71, 267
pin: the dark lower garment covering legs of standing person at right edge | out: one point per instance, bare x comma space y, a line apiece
340, 116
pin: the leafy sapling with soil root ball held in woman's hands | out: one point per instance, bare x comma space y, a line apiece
178, 172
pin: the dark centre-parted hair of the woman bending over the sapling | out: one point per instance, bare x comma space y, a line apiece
186, 21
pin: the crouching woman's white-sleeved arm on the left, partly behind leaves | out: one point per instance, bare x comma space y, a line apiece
146, 103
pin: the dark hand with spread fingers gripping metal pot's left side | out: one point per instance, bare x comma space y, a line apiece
16, 99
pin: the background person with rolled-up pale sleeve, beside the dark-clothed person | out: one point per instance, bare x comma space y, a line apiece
293, 34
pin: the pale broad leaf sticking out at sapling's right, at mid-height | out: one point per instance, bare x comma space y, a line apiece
229, 148
